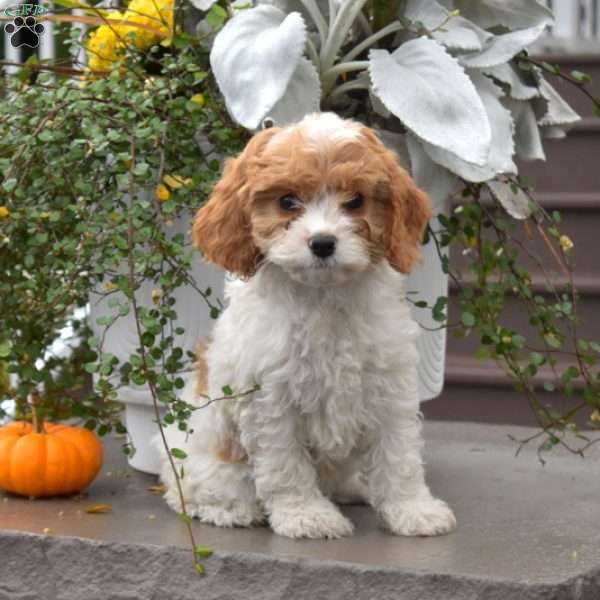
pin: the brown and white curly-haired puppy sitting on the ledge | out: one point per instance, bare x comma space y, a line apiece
320, 224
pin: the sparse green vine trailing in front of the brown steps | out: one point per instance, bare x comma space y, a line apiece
547, 356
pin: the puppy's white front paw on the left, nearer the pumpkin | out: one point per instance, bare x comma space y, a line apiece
316, 519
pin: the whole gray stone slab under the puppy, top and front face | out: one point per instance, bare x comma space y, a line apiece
526, 531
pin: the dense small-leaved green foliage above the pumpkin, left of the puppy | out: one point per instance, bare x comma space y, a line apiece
102, 168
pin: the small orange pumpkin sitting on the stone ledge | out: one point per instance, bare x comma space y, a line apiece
61, 460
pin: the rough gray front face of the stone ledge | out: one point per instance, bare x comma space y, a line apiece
64, 568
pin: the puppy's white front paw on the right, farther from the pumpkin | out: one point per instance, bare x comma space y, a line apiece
425, 516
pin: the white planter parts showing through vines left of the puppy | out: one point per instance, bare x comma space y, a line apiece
122, 340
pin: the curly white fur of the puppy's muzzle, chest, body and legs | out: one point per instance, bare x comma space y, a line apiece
332, 347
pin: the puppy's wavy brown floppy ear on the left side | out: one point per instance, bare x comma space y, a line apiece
222, 228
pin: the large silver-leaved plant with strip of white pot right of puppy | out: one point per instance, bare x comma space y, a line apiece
446, 85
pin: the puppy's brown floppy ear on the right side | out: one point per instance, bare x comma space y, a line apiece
411, 212
